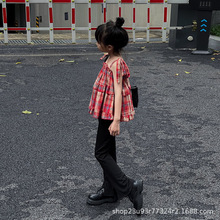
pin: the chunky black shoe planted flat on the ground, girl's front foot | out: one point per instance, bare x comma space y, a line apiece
99, 198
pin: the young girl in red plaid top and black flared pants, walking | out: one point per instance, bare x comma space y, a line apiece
111, 103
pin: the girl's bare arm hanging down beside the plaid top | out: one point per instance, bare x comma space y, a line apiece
114, 128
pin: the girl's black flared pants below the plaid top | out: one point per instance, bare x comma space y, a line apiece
116, 183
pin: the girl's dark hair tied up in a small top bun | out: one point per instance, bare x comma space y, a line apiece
113, 34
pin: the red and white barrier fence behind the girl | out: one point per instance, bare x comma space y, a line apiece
28, 29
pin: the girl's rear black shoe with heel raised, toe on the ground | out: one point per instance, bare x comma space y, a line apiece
136, 196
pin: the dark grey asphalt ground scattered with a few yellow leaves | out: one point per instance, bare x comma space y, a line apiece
47, 163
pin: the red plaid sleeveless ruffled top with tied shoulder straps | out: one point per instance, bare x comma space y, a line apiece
102, 99
